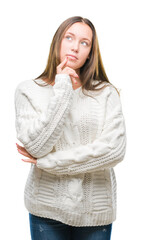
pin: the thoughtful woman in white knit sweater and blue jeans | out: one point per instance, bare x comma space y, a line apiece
70, 122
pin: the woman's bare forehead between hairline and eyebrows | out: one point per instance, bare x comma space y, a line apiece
81, 29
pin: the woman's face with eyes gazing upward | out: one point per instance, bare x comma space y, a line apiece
76, 45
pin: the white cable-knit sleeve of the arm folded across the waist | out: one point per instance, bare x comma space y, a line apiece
104, 152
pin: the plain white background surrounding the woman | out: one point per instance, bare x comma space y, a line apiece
27, 28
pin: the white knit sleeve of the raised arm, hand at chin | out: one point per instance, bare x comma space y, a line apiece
39, 130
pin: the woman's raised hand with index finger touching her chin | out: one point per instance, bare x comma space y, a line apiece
61, 69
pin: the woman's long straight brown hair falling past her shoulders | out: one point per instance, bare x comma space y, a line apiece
92, 73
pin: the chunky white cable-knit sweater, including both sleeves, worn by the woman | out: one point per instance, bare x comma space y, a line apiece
77, 141
